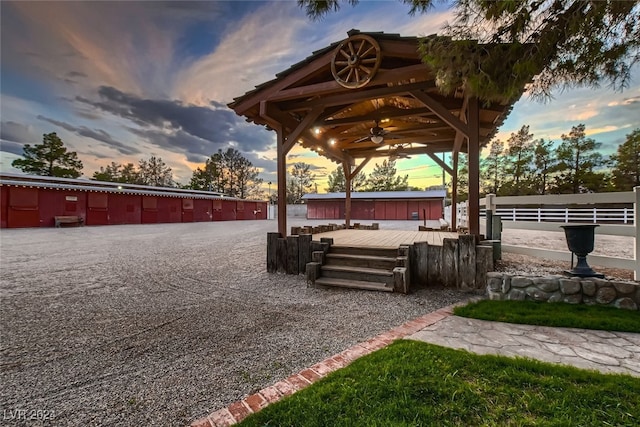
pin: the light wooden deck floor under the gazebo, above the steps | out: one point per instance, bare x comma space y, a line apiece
385, 238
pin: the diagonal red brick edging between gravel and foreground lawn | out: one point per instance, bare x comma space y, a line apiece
238, 411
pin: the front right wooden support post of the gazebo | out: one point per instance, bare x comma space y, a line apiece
473, 213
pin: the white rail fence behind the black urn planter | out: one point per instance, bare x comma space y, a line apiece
547, 213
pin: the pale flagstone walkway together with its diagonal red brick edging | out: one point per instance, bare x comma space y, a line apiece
607, 352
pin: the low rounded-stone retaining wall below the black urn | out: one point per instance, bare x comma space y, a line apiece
574, 290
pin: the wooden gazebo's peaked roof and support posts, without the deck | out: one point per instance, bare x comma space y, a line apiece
371, 96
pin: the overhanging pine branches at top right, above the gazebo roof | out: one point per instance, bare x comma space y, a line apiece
542, 44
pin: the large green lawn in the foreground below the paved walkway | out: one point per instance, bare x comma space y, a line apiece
413, 383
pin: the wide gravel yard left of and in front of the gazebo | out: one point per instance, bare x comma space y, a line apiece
162, 324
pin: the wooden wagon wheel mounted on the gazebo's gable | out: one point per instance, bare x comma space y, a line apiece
356, 61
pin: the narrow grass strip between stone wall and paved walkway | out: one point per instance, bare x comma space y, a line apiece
554, 314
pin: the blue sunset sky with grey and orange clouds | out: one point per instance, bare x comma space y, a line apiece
124, 81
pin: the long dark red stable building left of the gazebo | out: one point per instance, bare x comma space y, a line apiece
34, 201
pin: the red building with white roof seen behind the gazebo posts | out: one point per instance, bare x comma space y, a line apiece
378, 205
